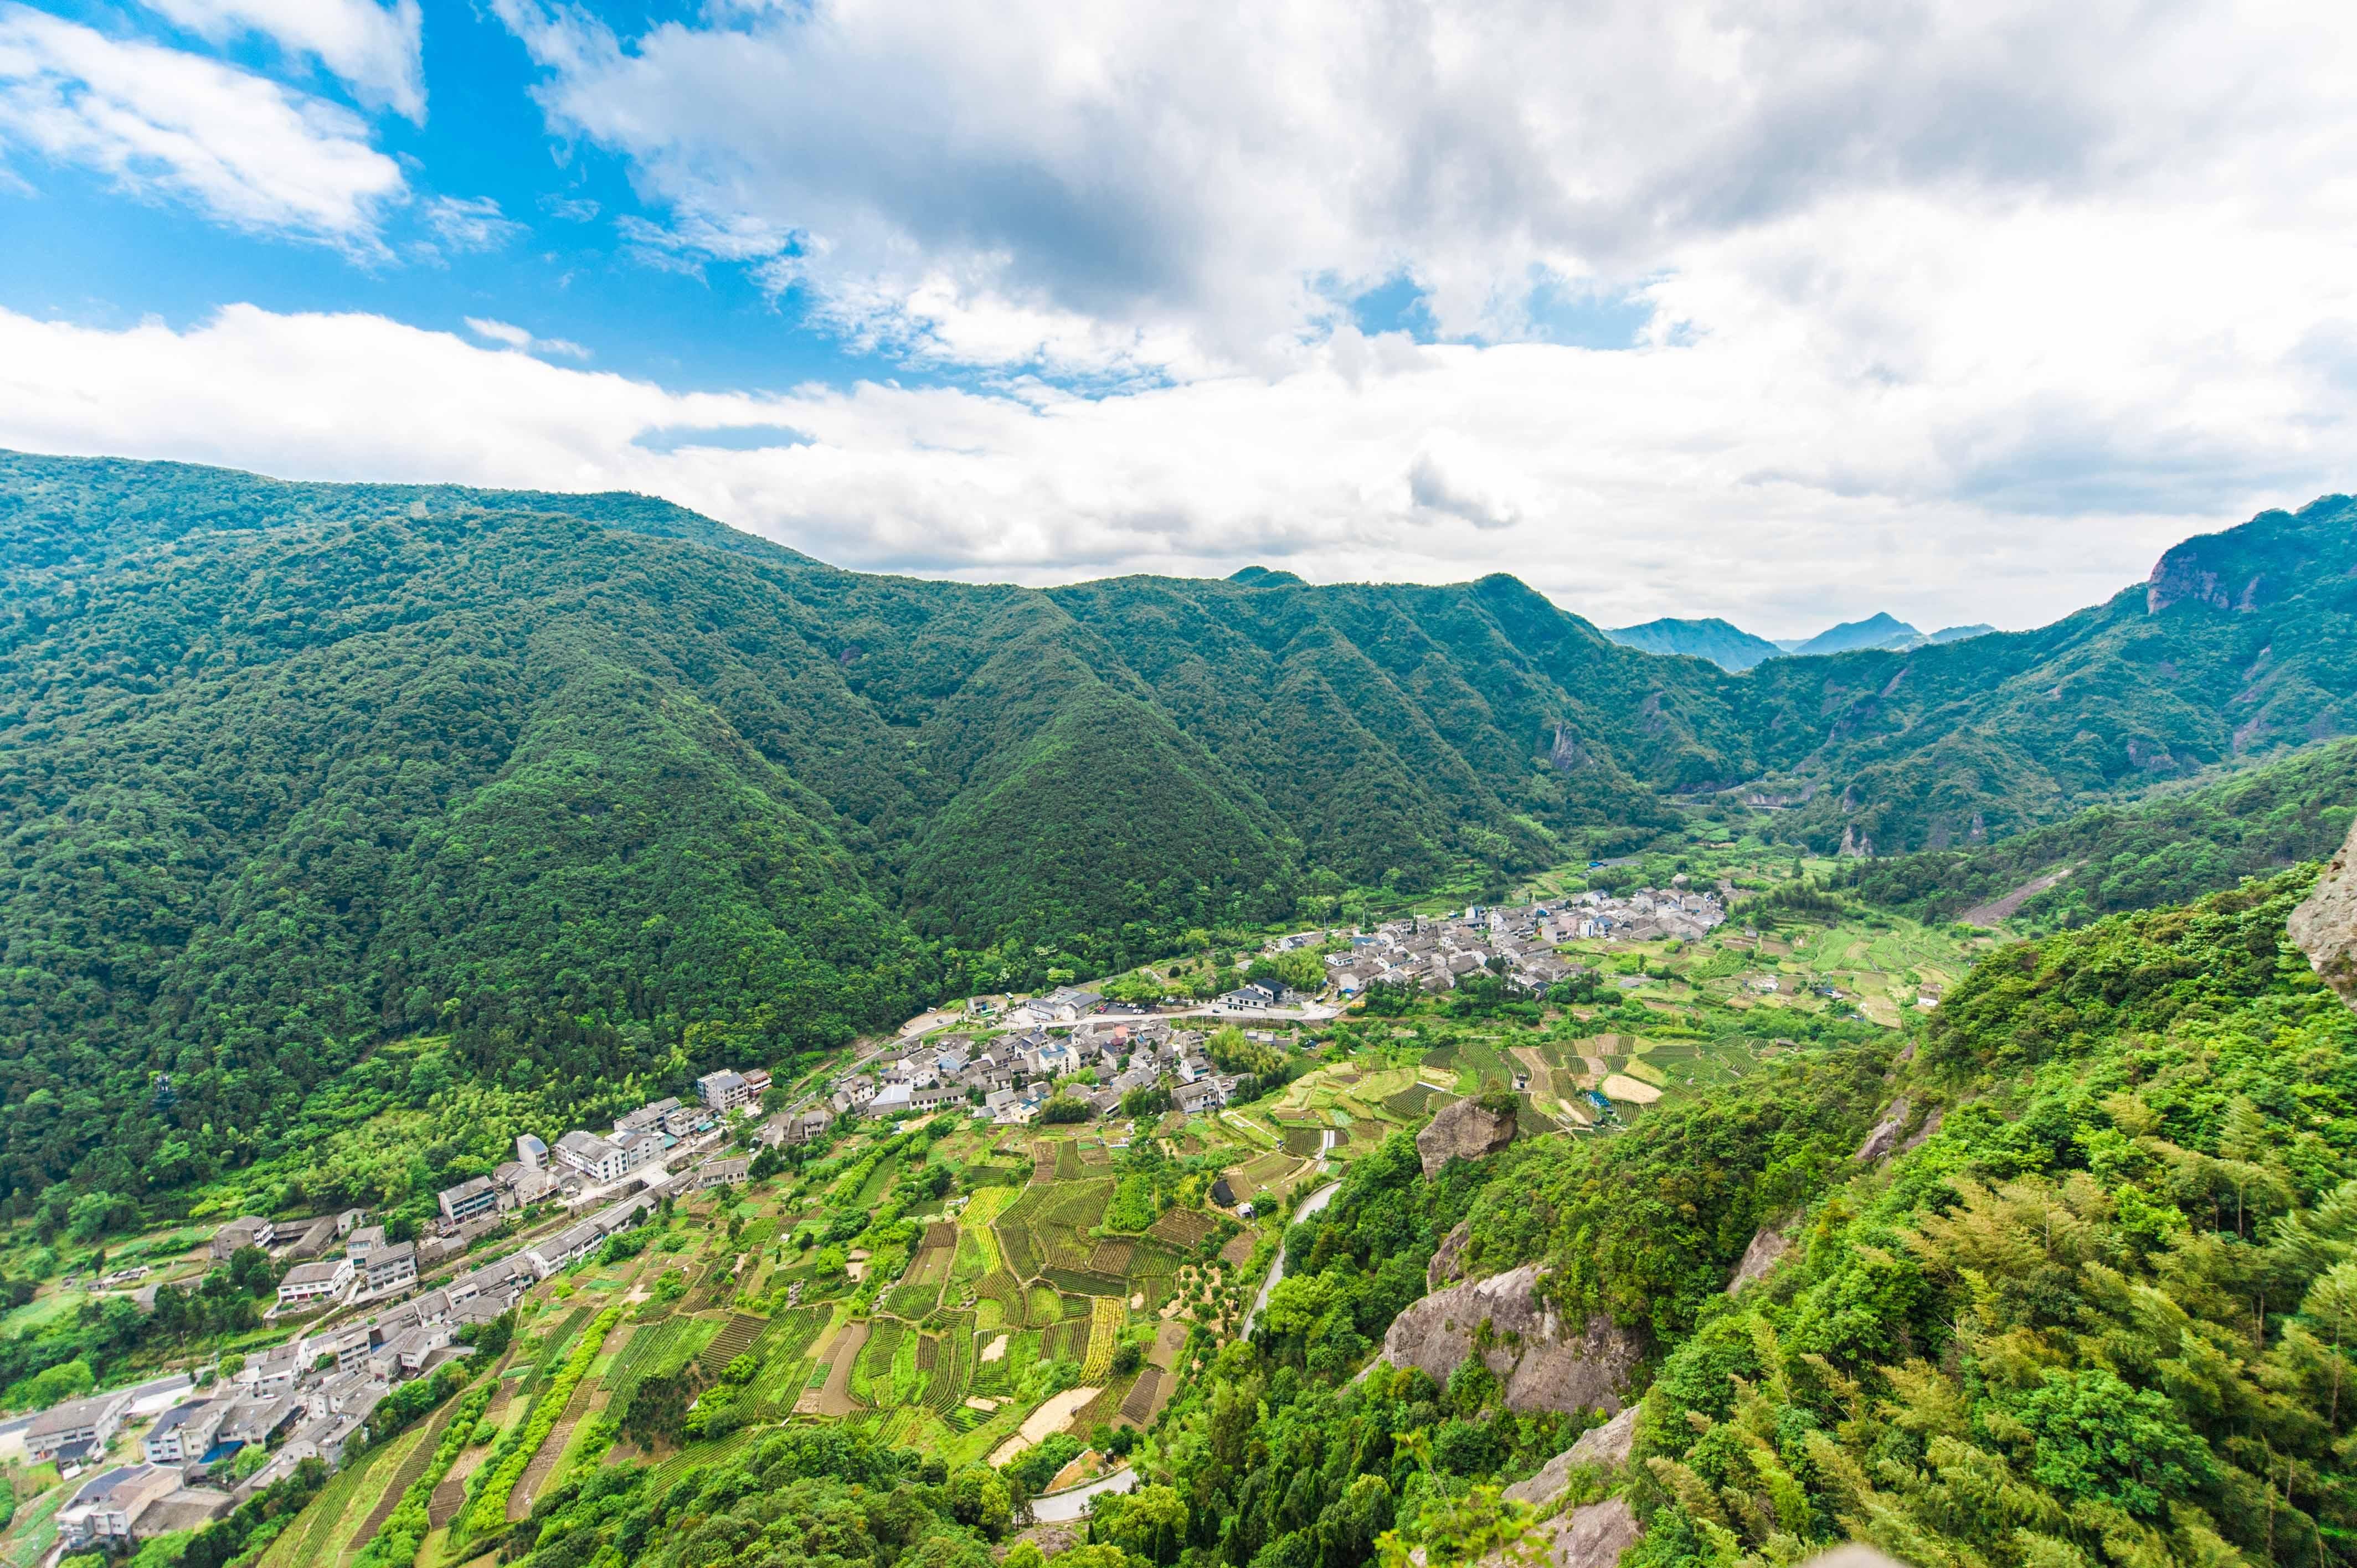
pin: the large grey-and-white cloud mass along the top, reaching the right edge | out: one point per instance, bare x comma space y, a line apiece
1147, 187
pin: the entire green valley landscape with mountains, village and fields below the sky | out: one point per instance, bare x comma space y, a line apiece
553, 1034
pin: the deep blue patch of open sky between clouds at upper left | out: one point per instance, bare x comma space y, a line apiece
565, 272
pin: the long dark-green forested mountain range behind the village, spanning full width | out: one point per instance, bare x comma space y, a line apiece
600, 784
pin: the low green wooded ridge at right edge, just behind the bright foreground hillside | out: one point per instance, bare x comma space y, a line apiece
2141, 857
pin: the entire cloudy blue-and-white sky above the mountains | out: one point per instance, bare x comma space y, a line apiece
1769, 310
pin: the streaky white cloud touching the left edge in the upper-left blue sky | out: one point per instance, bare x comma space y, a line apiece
173, 124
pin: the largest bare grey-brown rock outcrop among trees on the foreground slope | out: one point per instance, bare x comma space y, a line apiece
1538, 1357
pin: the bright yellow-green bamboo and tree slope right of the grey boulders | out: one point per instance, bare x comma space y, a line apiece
2104, 1317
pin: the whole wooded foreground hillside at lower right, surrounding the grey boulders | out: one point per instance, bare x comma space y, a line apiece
2099, 1317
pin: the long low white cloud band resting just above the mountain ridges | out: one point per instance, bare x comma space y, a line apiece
1722, 477
